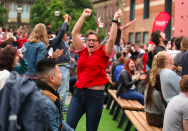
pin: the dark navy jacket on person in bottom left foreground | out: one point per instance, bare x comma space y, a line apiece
23, 106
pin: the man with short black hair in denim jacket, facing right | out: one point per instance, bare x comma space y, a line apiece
49, 79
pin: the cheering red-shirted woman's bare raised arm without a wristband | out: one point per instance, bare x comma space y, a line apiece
76, 30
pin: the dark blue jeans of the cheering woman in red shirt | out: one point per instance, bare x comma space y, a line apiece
89, 102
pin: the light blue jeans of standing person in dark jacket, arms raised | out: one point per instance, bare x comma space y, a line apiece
64, 88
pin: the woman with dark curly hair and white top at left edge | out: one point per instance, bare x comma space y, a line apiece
8, 59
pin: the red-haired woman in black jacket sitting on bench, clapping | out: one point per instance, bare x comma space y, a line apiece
127, 82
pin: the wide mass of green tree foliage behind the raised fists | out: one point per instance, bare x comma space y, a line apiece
42, 13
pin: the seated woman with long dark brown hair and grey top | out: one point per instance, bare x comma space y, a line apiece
154, 104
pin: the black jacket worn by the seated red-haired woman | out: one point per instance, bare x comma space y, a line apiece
125, 82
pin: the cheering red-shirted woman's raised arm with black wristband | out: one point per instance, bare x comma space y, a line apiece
113, 33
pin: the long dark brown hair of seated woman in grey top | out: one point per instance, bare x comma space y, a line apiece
150, 91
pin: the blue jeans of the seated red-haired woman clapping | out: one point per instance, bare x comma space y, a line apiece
133, 95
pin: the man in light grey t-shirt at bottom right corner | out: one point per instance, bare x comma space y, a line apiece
176, 114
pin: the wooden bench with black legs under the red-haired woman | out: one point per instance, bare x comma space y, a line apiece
121, 104
